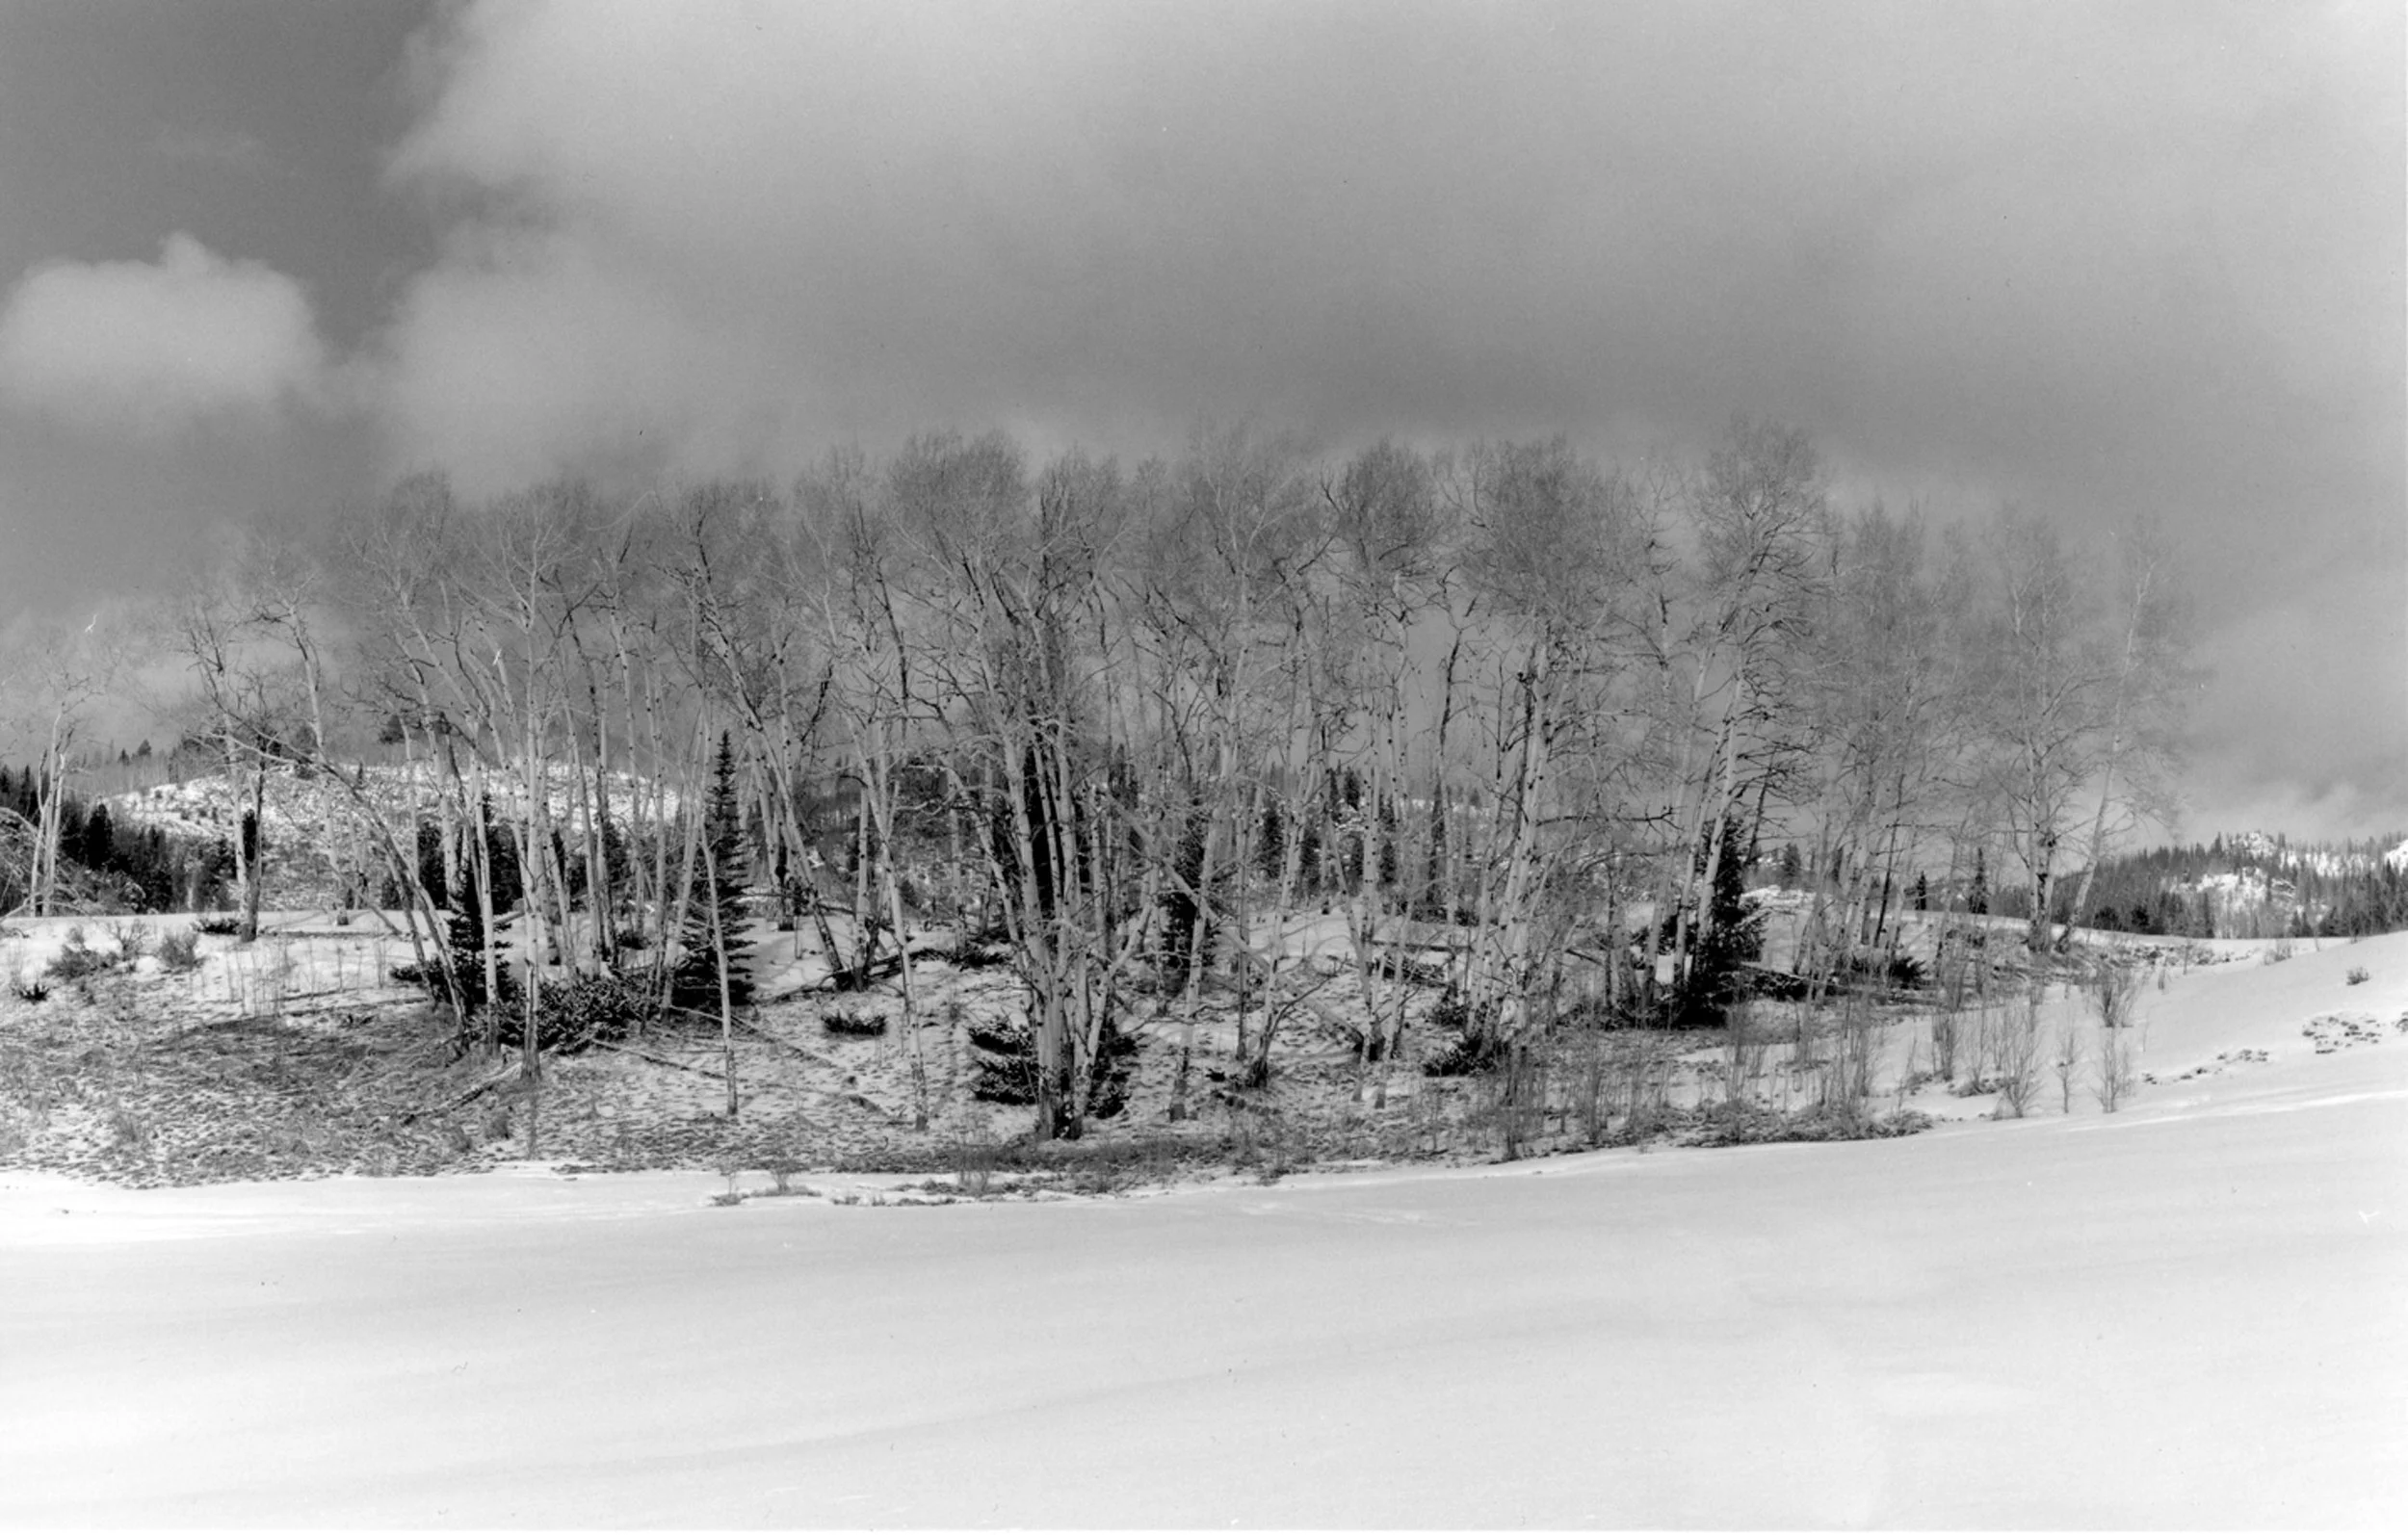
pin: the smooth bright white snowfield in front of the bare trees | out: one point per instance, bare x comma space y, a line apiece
2192, 1312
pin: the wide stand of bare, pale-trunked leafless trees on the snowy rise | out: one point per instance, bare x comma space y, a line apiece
1128, 721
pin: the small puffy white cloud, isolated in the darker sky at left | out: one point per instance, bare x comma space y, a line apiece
165, 345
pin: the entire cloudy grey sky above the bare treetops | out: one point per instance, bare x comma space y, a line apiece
2087, 259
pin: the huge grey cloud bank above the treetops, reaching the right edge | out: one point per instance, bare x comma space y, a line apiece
2062, 251
